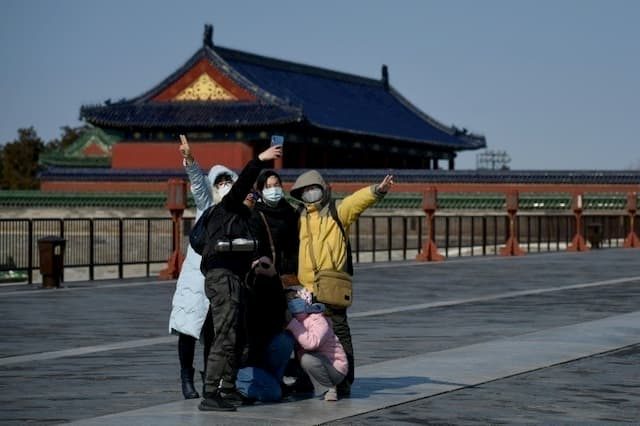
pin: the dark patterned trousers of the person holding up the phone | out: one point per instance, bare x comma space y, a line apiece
225, 291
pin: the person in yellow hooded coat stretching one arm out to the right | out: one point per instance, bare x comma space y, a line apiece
318, 228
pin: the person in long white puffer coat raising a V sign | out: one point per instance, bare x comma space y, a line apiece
190, 305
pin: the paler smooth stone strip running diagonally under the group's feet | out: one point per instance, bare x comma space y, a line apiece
402, 380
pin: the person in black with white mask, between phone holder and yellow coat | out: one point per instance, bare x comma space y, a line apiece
269, 345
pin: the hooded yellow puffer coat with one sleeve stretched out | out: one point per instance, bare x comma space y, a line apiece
329, 247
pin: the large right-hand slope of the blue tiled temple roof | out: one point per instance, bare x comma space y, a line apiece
345, 102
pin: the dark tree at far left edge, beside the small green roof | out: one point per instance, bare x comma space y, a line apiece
20, 161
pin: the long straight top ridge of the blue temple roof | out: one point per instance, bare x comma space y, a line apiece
297, 67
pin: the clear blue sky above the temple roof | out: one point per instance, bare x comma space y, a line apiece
555, 83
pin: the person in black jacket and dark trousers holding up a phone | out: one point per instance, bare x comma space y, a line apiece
226, 259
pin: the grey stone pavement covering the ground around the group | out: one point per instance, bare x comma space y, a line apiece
547, 338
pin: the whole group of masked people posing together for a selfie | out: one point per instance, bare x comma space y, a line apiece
249, 294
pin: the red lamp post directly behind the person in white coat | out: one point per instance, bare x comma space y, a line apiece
176, 203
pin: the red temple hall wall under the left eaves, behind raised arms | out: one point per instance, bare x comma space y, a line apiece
164, 155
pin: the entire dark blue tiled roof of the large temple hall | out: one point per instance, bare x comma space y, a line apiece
287, 92
